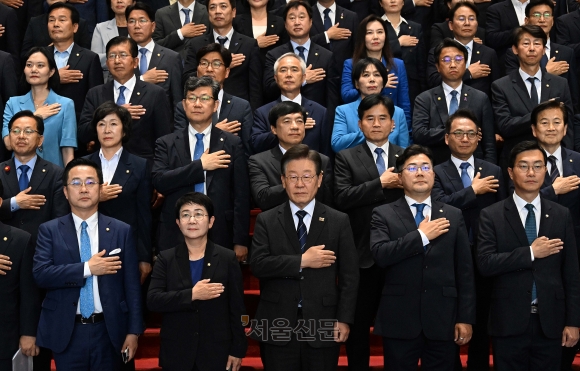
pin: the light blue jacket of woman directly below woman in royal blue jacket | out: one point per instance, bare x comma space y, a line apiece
347, 134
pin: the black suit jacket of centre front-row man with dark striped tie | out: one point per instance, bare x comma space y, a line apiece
327, 293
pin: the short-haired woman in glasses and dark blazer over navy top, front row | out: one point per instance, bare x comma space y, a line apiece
198, 286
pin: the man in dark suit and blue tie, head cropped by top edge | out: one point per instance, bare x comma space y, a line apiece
177, 24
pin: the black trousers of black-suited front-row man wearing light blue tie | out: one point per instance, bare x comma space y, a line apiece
404, 354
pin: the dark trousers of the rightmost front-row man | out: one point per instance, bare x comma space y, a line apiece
530, 351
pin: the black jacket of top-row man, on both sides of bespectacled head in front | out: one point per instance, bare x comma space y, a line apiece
480, 53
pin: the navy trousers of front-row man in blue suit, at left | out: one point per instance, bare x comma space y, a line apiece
90, 348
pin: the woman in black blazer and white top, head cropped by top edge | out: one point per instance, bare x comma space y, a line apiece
268, 29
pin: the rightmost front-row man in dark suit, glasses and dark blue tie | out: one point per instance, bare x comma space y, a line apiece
526, 243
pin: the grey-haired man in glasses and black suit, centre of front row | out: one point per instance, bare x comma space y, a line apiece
304, 255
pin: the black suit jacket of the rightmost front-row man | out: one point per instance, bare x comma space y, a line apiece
504, 254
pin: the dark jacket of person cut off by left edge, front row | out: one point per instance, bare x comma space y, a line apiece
19, 296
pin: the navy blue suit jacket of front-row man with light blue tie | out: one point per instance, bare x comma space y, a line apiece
58, 269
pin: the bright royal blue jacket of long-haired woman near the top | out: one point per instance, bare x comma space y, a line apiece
399, 95
